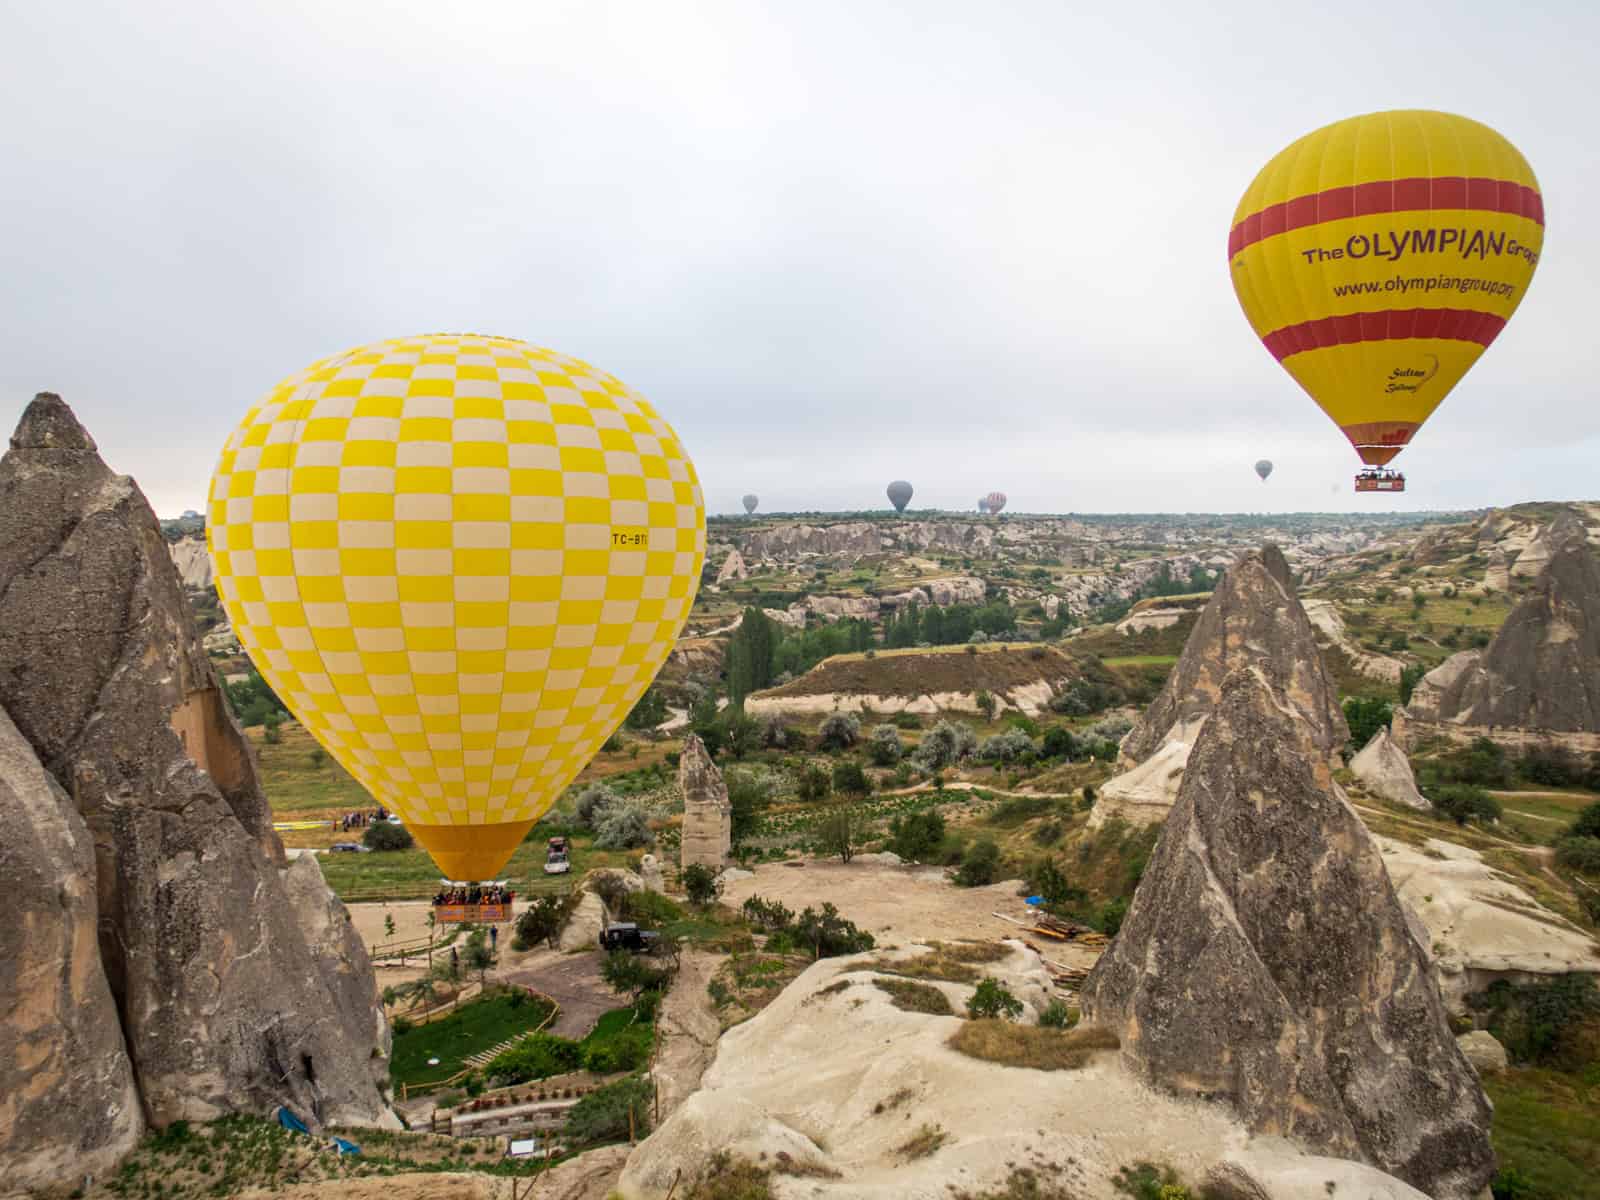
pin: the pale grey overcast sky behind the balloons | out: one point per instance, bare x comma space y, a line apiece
974, 246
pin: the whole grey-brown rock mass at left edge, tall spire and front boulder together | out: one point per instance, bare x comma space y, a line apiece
177, 967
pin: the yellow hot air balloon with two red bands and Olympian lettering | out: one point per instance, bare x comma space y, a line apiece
1380, 257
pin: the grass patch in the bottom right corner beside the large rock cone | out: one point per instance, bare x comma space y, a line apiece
1548, 1132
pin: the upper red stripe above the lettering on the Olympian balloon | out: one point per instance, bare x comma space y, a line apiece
1388, 196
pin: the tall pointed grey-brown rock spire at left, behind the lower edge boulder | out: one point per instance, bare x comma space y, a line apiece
231, 993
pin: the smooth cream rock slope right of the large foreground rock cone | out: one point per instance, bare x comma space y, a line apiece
1478, 926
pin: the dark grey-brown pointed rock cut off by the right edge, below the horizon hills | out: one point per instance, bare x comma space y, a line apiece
1540, 674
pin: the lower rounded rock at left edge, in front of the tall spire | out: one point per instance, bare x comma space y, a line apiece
68, 1105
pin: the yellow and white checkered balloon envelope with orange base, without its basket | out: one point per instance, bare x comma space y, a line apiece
460, 561
